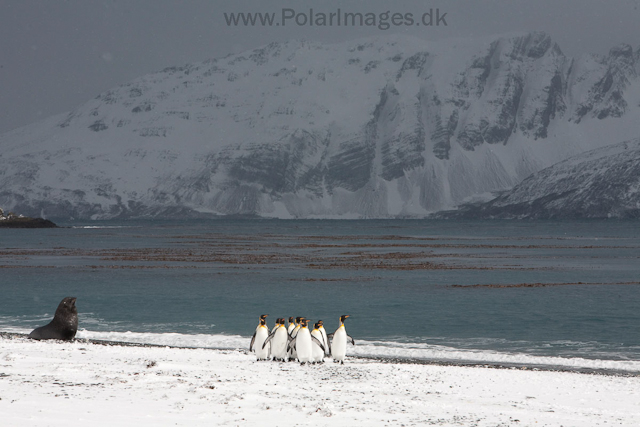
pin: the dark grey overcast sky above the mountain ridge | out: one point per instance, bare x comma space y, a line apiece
57, 54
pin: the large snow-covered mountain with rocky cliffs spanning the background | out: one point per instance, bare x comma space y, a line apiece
378, 127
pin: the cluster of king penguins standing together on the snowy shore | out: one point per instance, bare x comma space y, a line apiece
296, 342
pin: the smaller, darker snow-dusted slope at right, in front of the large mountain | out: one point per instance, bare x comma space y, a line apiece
601, 183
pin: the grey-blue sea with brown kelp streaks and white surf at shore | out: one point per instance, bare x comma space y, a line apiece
536, 293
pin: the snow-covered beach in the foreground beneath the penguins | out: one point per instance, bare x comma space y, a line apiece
83, 383
